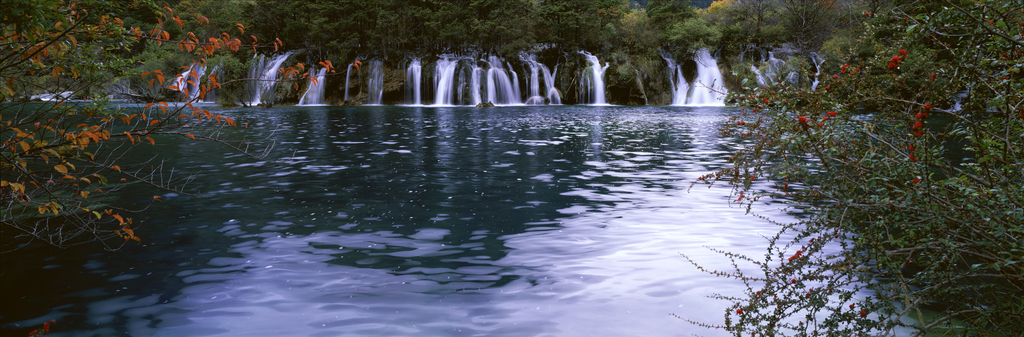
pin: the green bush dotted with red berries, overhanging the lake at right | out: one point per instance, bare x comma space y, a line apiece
911, 161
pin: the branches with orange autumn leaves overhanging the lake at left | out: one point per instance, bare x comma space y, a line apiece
65, 160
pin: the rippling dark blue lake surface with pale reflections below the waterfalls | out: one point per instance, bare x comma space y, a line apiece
418, 222
